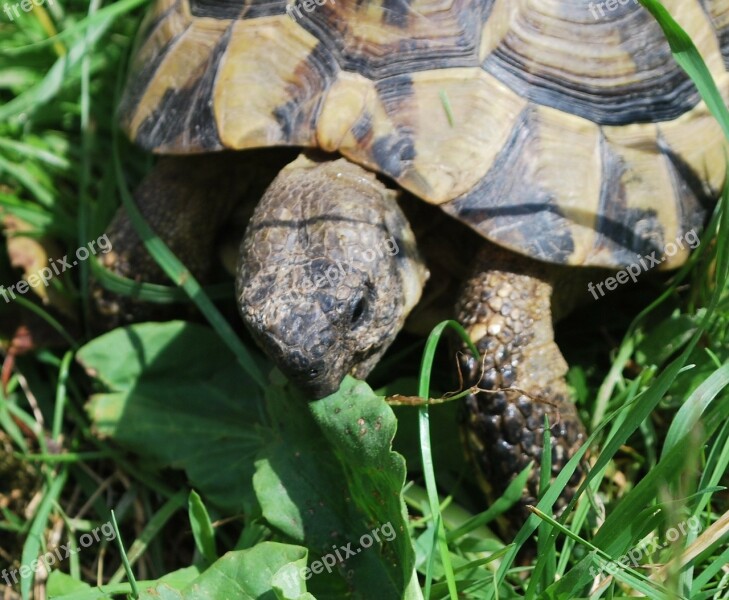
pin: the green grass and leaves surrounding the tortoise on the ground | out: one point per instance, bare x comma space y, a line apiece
197, 447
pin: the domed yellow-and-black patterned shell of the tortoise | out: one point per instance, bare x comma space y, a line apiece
560, 129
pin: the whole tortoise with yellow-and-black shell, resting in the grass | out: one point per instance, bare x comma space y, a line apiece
561, 136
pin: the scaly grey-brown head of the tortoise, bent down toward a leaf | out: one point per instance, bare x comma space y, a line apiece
328, 272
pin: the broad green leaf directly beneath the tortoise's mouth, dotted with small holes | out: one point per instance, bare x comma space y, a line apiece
343, 503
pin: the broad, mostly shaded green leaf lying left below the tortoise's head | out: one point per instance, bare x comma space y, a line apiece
176, 395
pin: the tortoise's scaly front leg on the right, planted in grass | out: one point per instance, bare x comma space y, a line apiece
506, 309
